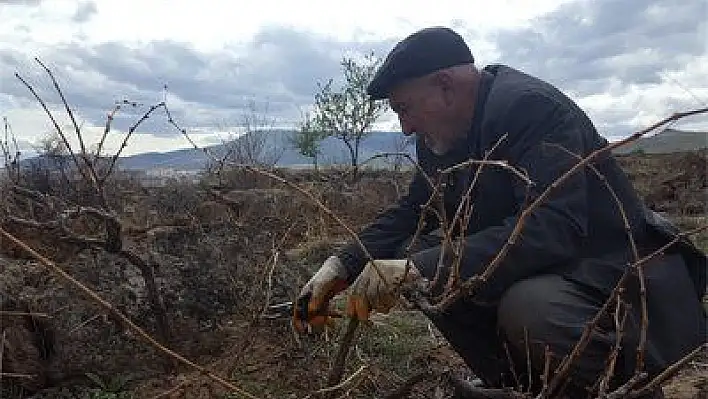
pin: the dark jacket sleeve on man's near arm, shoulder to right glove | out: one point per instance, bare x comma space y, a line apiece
553, 232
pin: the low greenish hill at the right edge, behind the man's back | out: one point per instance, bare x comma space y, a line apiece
667, 141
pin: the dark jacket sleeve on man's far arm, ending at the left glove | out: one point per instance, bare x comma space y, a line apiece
391, 228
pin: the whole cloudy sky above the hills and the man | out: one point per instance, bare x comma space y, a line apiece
627, 62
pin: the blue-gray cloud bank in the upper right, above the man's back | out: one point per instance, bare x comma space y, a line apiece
584, 43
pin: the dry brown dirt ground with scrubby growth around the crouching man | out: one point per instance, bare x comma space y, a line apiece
221, 251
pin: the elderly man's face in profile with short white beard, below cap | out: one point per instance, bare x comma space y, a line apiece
424, 108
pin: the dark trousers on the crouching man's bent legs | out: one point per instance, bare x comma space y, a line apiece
539, 313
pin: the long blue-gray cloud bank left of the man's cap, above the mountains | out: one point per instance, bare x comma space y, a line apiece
279, 68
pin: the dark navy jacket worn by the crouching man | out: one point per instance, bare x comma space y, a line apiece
577, 232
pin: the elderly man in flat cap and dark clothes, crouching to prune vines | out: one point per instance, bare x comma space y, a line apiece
573, 248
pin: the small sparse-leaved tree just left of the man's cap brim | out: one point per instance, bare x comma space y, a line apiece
348, 113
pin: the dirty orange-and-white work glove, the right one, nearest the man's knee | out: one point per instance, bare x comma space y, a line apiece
379, 290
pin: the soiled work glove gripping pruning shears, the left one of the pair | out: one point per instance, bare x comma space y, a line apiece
312, 310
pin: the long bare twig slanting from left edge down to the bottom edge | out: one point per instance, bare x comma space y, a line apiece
120, 316
